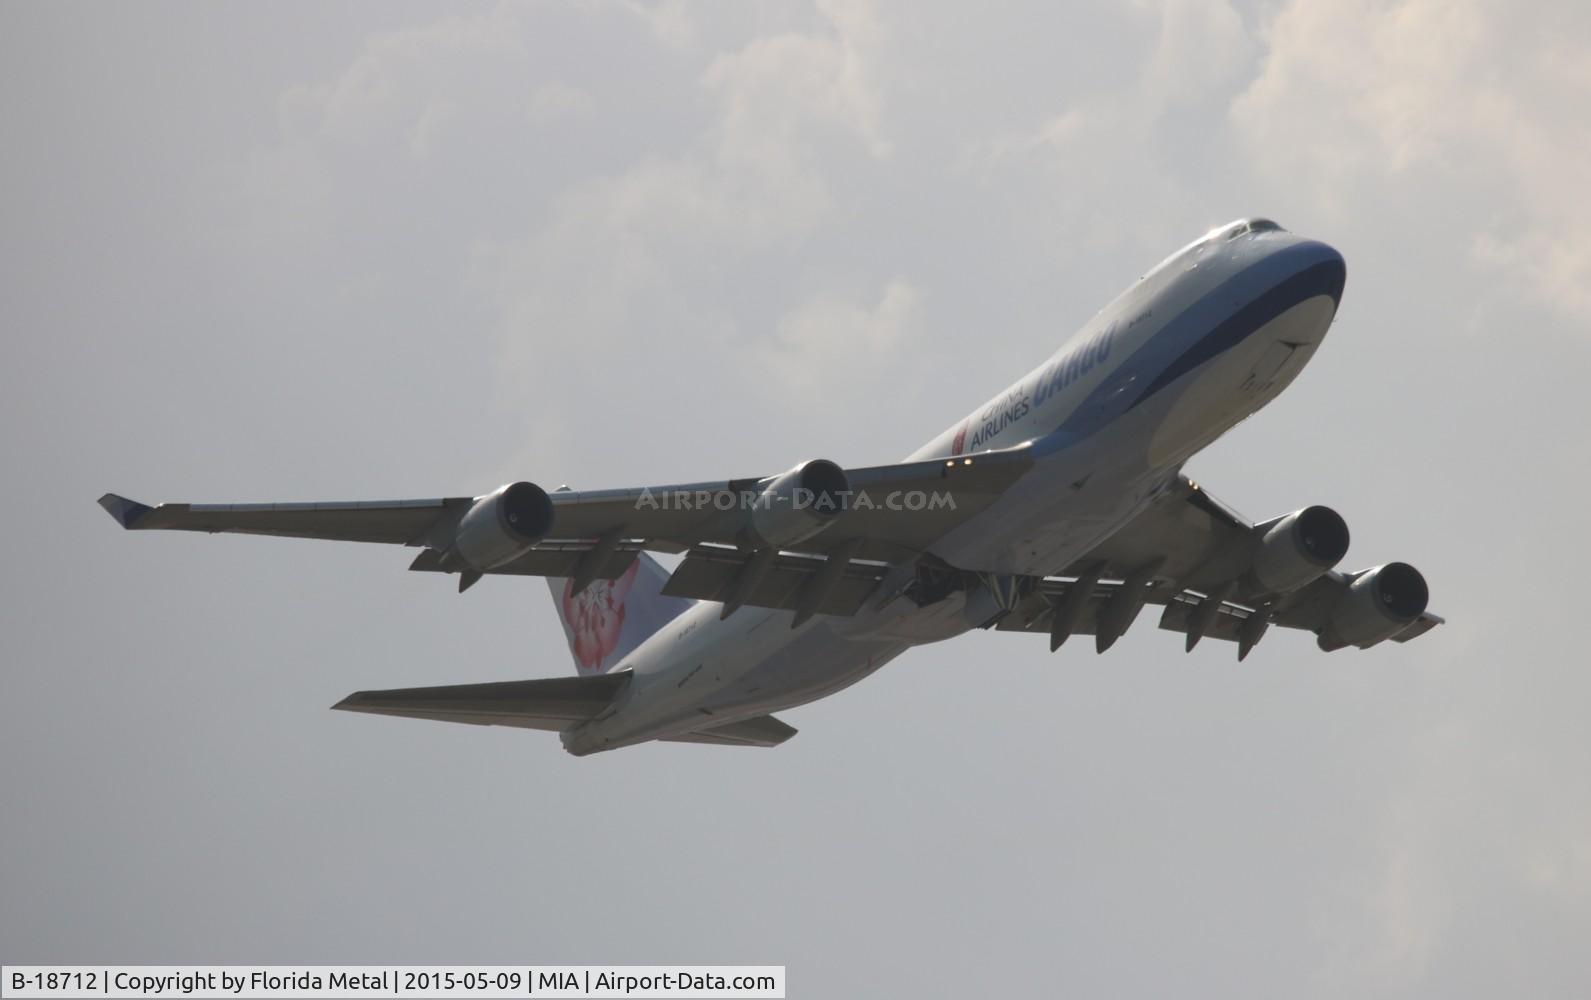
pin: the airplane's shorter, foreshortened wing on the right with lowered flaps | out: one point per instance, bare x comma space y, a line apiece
1192, 556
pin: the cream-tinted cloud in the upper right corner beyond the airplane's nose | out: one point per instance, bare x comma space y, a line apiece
1476, 104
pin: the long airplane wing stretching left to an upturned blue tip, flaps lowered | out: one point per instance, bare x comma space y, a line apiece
594, 535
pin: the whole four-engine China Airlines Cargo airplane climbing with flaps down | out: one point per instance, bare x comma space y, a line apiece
1057, 508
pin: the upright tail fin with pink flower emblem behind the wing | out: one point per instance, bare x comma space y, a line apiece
612, 618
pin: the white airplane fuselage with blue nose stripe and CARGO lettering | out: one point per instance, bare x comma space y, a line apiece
1188, 352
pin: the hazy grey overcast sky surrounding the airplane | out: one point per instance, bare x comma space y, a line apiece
356, 252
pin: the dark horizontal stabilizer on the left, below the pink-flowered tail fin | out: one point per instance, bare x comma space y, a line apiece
551, 703
